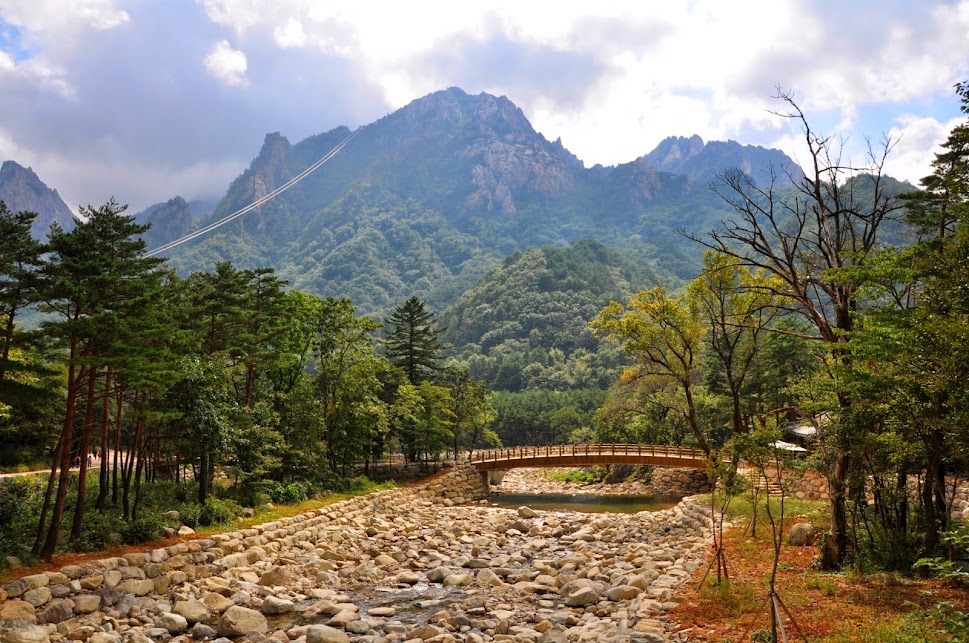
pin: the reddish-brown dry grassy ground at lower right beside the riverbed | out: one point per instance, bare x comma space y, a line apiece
827, 607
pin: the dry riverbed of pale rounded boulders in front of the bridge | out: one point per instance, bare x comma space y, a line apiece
395, 566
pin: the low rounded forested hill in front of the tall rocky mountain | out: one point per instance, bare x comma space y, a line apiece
525, 325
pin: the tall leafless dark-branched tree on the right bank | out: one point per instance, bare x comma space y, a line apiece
812, 235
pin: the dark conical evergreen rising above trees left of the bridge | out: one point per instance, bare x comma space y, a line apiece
414, 342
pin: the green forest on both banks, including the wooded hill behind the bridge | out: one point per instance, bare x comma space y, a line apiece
839, 303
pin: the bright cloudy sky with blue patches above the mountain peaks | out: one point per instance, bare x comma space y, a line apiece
144, 100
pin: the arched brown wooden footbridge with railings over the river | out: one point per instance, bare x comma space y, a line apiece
586, 455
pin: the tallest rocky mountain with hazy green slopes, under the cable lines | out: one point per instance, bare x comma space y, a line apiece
429, 199
